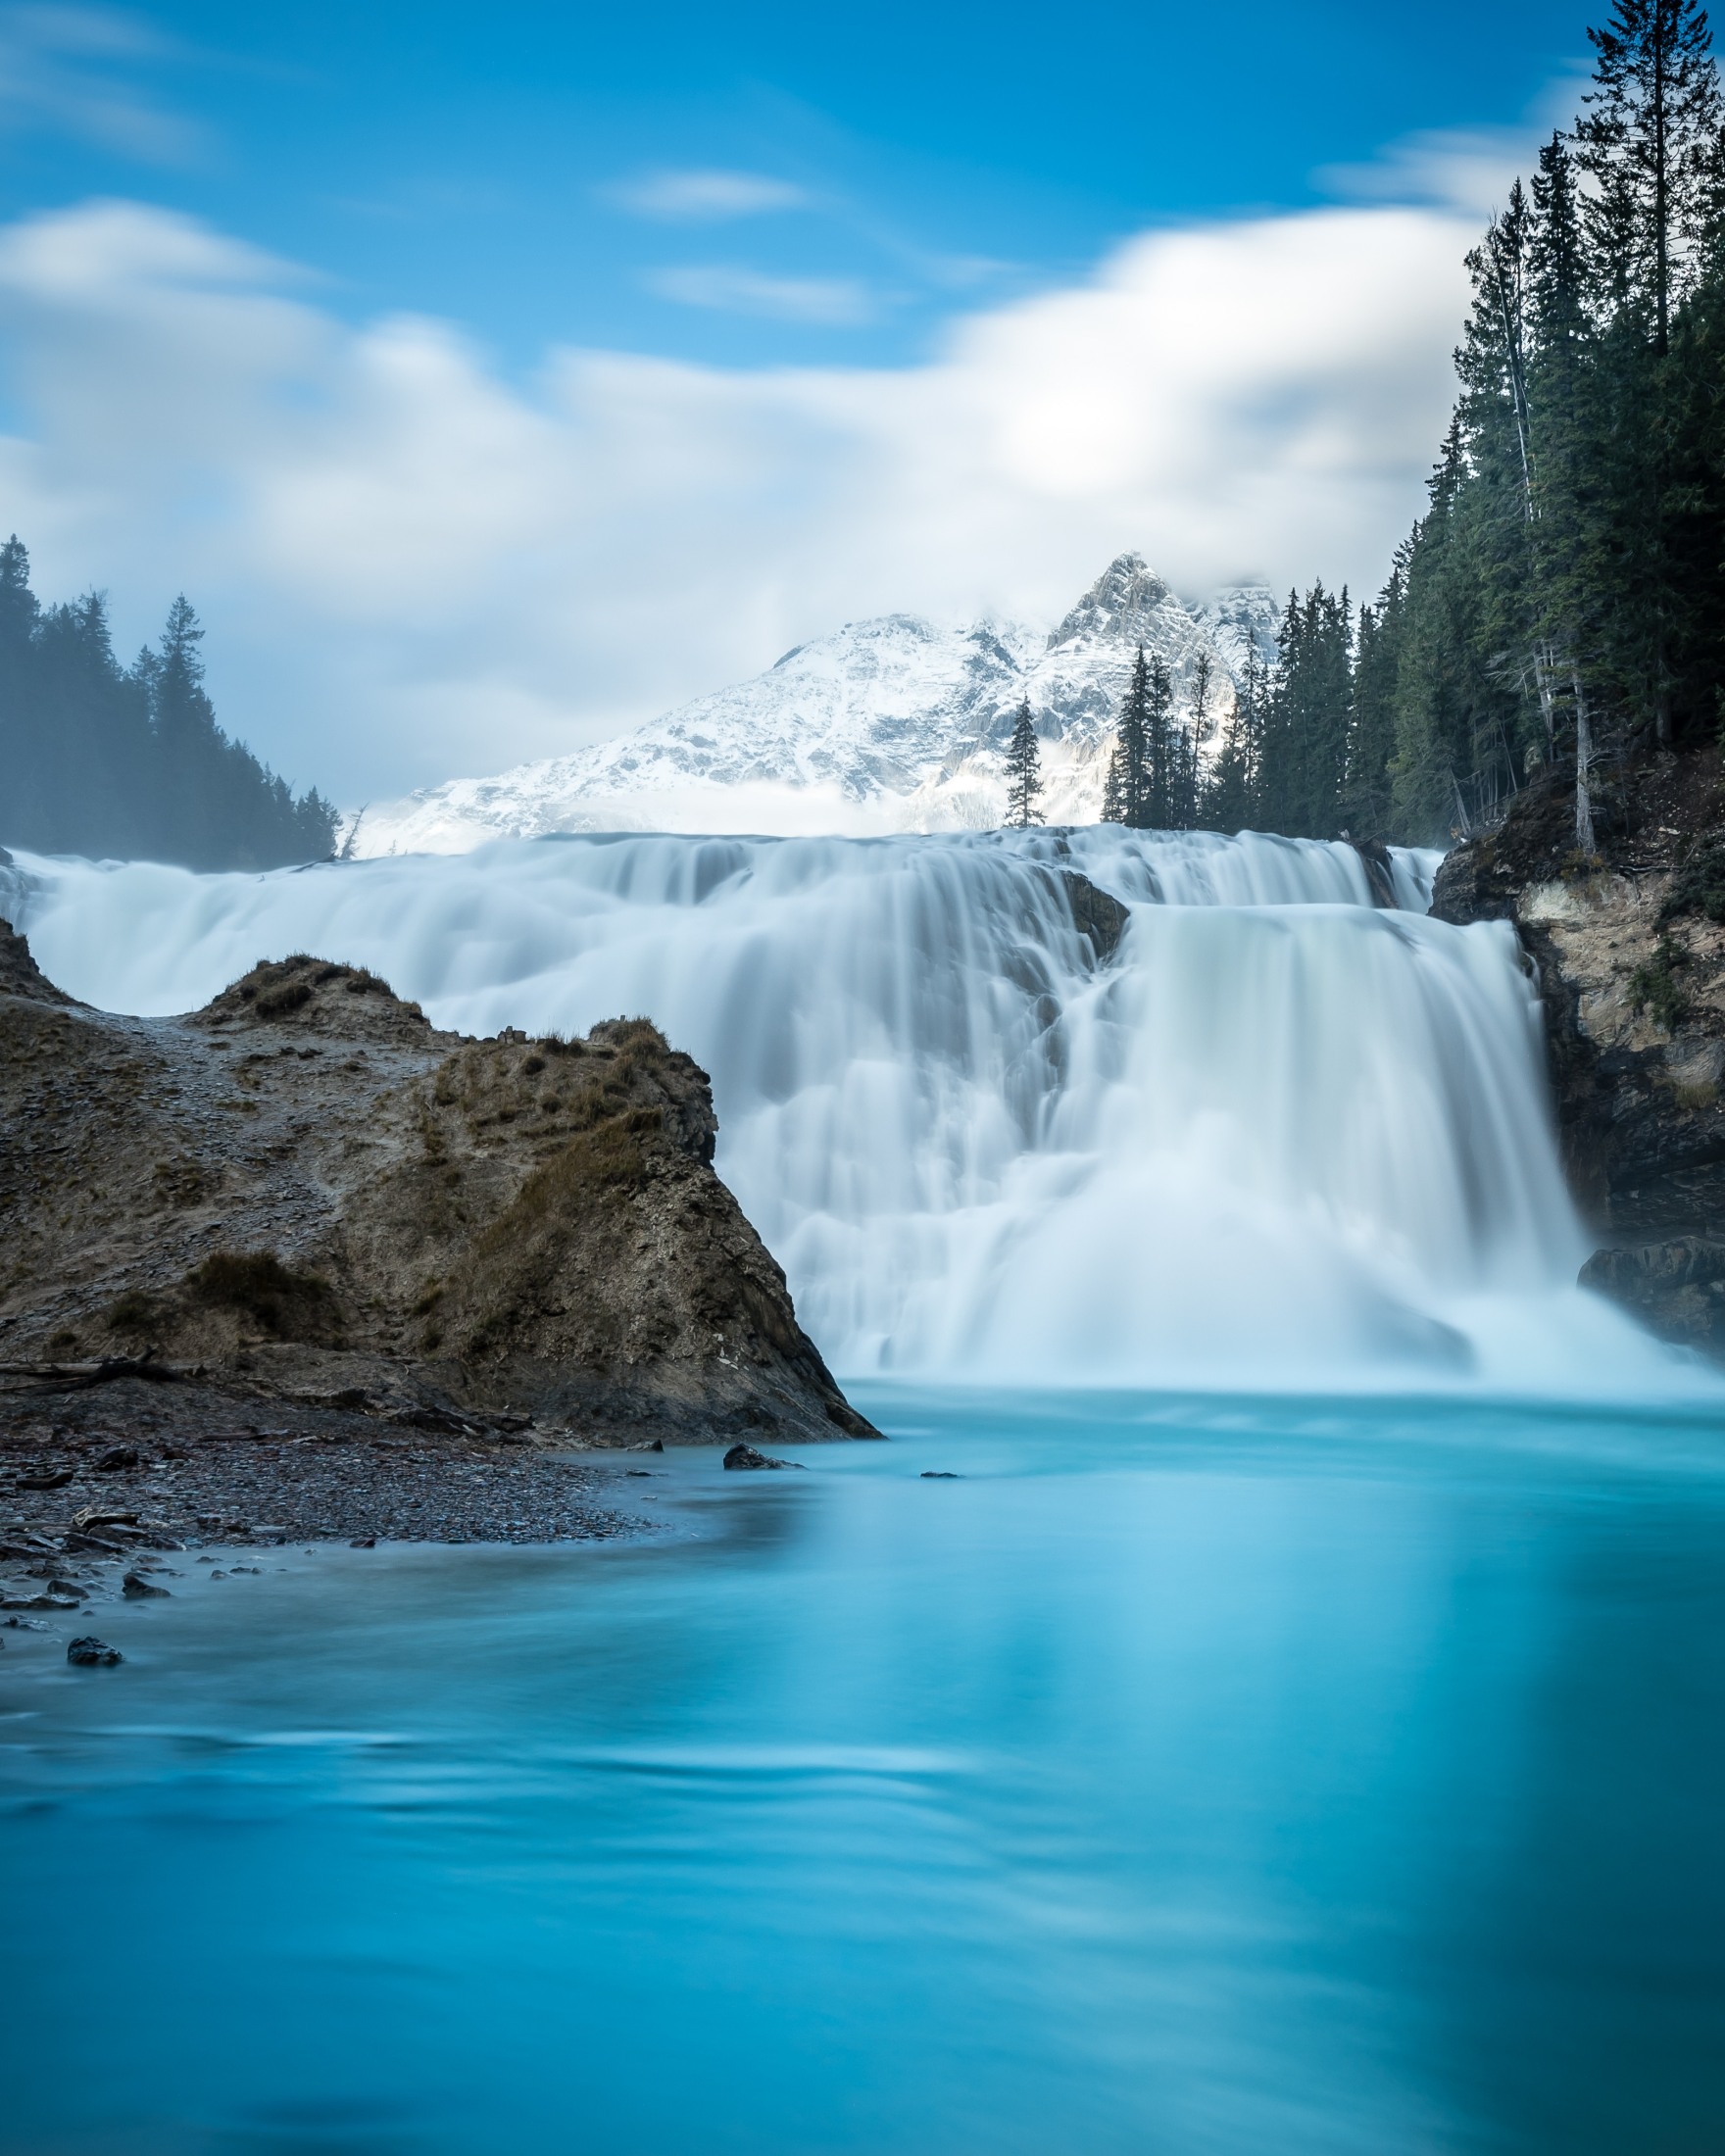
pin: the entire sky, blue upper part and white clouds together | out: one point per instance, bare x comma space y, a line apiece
495, 378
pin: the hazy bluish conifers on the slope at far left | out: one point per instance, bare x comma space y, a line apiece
128, 762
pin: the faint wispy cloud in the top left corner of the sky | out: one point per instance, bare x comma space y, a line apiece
72, 70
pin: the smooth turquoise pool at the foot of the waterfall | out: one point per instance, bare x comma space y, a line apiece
1178, 1780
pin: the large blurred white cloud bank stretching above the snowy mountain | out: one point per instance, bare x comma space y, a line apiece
415, 568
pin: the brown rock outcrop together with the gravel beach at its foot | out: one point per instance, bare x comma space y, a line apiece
303, 1269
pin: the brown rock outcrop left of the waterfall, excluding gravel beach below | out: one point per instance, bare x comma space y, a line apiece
307, 1189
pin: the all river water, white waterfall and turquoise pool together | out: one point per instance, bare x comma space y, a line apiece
1314, 1745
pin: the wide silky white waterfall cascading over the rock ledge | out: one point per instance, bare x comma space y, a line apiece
1282, 1139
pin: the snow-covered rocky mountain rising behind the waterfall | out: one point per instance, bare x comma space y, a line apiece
885, 725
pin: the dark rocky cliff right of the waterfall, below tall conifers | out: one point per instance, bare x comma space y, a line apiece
1631, 960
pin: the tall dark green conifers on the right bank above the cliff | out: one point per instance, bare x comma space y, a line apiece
1562, 600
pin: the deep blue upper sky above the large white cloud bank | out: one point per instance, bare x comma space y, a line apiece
499, 165
